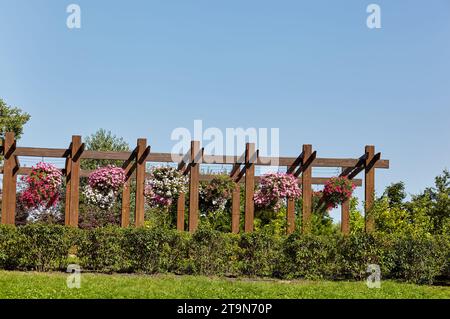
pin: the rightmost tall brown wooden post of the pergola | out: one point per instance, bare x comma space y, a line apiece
369, 187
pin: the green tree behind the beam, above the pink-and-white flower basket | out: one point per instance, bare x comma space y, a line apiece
103, 140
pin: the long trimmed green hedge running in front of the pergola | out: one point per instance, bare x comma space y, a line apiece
208, 252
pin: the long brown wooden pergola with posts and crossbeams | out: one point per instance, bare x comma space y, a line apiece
243, 171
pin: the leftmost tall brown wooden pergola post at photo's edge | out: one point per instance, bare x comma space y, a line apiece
9, 180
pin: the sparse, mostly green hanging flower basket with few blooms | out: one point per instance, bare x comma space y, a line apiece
215, 194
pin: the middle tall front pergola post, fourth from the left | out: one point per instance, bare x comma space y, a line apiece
194, 177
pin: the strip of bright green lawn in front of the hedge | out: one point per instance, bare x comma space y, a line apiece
53, 285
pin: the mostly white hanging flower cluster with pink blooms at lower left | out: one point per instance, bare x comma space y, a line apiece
163, 186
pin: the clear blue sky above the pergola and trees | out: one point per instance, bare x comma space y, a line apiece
311, 68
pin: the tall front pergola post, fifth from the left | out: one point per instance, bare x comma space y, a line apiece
249, 186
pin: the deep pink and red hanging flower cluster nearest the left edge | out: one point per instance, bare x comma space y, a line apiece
42, 187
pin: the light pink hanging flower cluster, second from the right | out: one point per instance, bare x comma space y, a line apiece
274, 188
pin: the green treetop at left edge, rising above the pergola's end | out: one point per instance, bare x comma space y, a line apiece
12, 119
